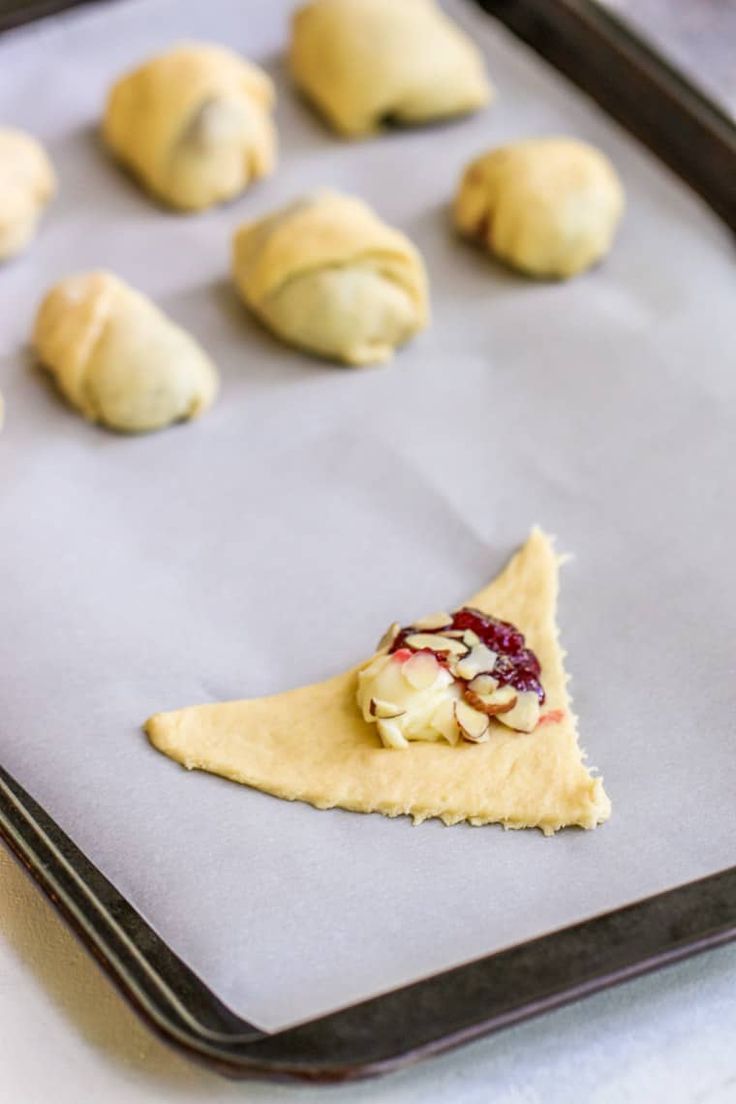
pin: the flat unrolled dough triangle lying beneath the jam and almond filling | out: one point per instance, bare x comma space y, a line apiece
313, 746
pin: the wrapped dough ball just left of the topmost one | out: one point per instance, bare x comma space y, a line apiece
194, 125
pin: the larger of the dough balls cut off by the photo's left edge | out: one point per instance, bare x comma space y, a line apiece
27, 185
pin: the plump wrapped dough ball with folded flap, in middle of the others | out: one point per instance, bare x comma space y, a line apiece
327, 275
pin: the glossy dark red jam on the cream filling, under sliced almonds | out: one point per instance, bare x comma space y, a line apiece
516, 664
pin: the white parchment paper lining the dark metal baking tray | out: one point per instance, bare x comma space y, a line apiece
271, 544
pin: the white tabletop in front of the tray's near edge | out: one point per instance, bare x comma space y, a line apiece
67, 1038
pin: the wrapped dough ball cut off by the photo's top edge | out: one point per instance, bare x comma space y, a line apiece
369, 62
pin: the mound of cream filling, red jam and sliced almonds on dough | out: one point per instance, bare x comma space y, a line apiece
447, 677
